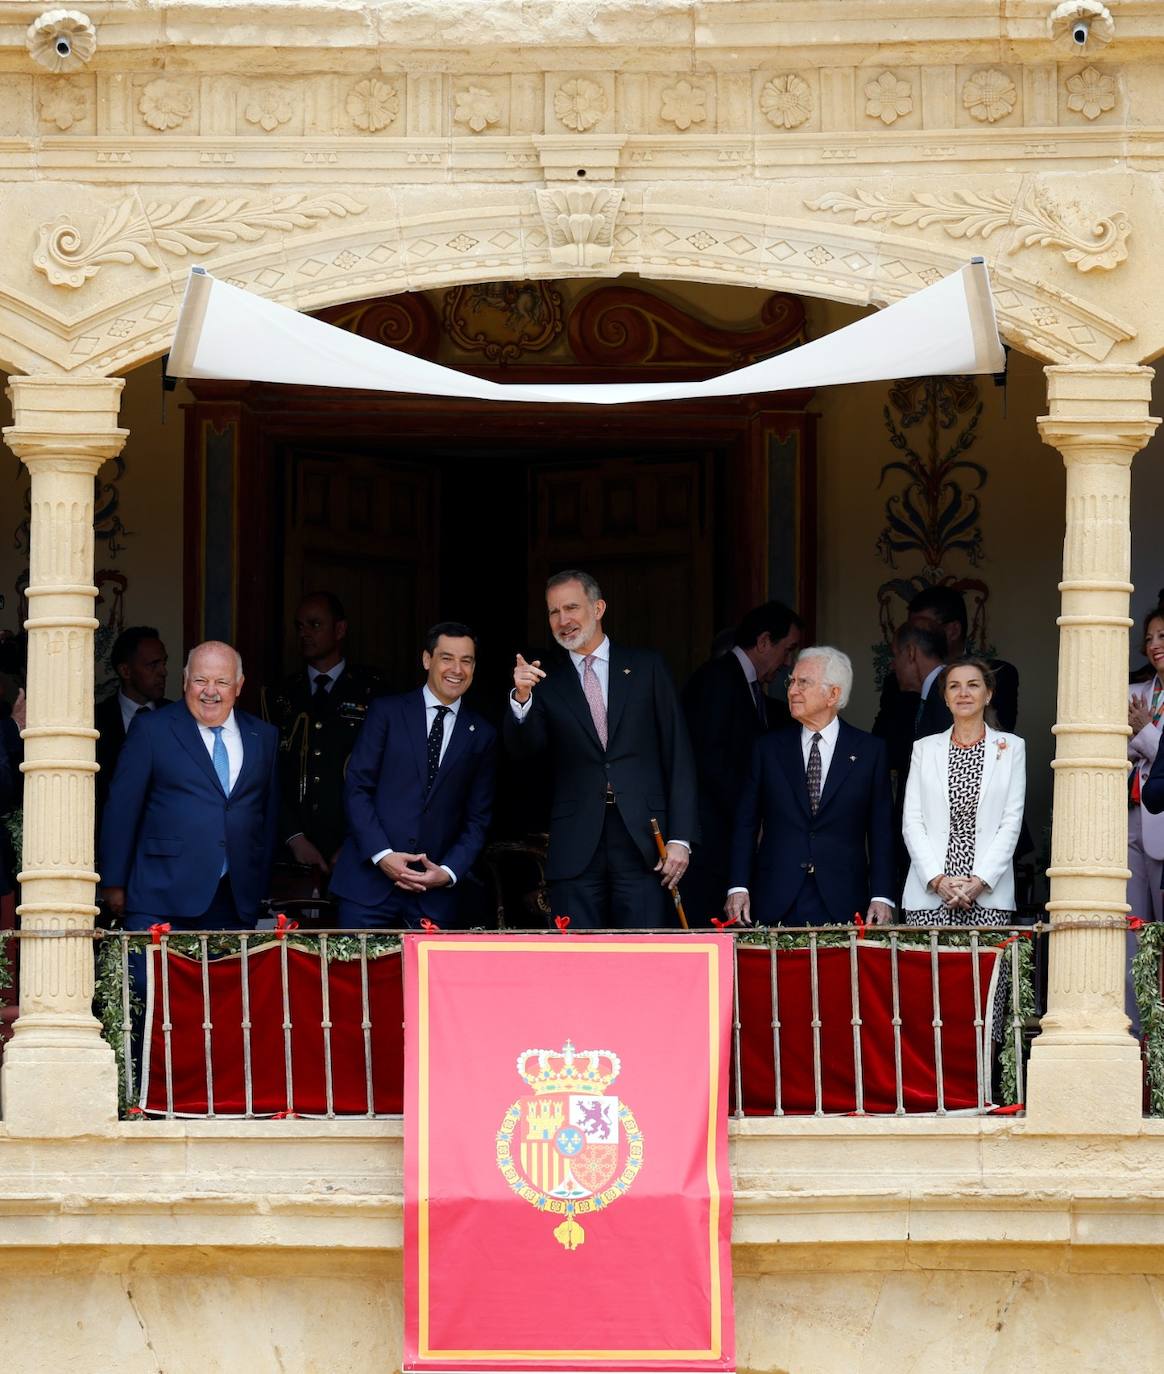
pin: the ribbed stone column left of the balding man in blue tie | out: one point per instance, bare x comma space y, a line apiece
60, 1077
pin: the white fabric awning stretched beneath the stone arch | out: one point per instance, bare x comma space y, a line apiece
230, 335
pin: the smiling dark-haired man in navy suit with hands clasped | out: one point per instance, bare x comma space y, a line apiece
420, 795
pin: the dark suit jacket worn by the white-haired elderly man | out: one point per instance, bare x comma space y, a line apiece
850, 842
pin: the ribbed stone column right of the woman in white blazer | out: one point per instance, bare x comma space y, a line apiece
1085, 1067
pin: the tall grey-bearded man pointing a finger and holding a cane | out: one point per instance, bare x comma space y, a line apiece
611, 719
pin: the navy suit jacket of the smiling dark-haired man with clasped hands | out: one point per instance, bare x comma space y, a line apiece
388, 810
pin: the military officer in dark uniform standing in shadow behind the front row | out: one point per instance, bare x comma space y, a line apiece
320, 712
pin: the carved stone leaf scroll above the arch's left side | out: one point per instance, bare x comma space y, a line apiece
68, 256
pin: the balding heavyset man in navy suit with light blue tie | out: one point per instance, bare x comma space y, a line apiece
190, 826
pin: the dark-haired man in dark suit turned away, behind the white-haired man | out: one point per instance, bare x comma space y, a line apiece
728, 711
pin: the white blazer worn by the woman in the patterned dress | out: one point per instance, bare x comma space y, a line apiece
1000, 818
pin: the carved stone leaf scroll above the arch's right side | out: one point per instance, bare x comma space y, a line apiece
976, 215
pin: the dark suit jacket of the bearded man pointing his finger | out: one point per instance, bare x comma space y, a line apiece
648, 759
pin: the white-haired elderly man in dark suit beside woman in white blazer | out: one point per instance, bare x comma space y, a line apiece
814, 831
